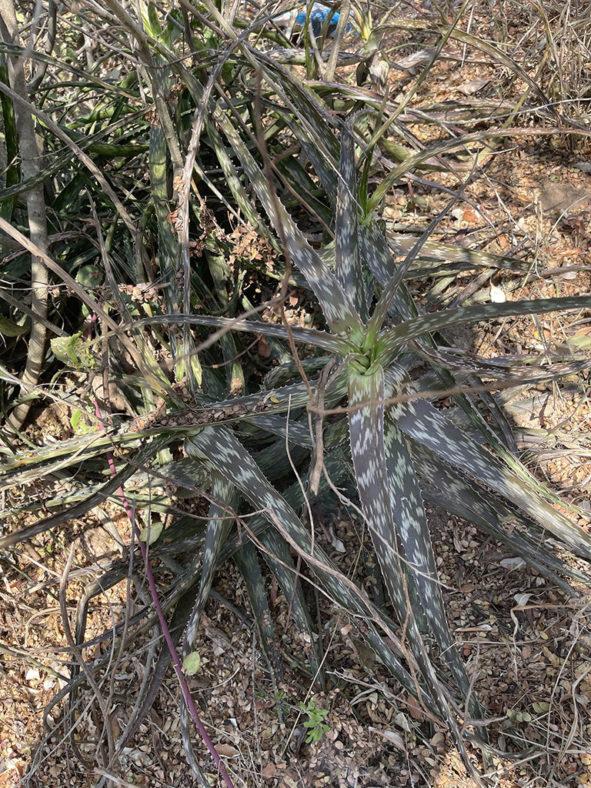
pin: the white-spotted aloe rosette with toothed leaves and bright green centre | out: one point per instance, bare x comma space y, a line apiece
389, 430
